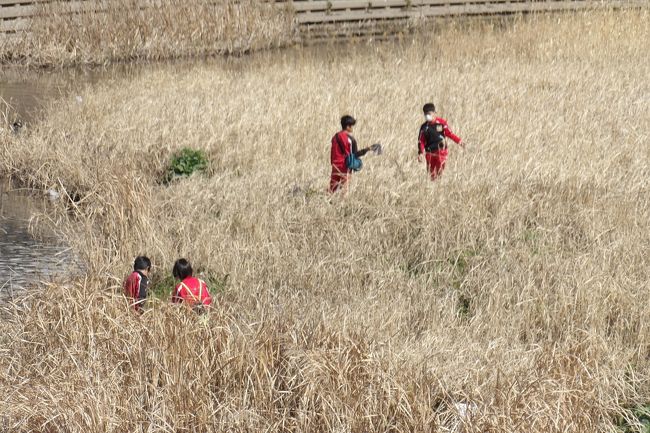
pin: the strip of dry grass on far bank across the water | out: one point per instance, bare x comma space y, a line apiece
107, 31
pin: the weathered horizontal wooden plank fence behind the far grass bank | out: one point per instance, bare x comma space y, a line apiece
15, 14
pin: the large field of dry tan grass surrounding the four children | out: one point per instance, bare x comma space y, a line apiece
517, 283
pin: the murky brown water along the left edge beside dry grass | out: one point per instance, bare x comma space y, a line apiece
26, 258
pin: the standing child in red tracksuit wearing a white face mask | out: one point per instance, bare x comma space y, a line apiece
431, 141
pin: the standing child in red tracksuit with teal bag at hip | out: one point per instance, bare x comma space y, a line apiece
343, 144
